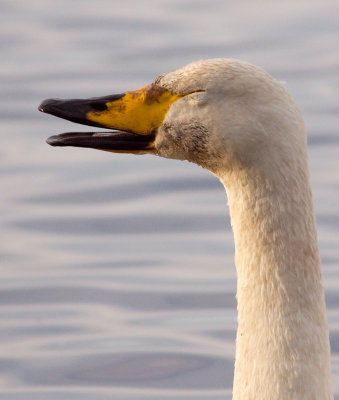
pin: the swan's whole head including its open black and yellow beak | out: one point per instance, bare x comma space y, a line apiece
221, 114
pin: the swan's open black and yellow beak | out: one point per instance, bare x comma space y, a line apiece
135, 117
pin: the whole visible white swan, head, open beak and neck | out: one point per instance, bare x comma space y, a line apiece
235, 120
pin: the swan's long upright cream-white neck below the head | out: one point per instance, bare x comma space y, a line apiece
282, 348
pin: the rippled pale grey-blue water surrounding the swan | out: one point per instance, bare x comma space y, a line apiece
117, 274
